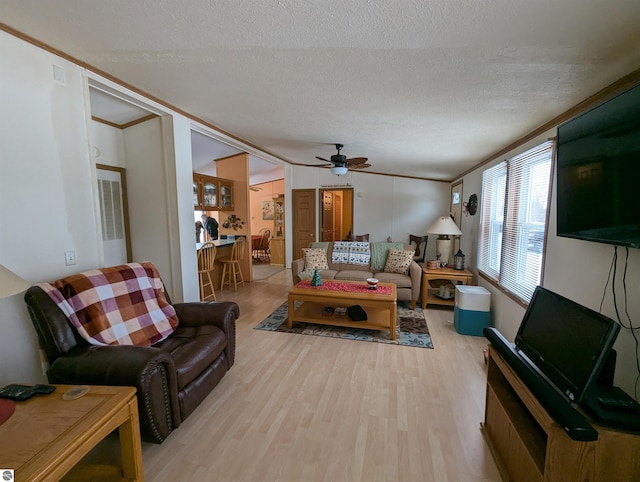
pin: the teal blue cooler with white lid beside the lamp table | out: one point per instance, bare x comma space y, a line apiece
471, 309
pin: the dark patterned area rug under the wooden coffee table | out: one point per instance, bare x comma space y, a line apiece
412, 328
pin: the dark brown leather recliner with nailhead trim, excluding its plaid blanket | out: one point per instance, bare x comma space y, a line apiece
172, 377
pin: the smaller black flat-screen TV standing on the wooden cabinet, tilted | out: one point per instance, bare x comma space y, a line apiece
566, 342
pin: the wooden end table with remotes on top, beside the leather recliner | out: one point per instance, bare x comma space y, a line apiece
47, 436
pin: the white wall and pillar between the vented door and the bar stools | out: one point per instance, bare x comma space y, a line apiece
144, 151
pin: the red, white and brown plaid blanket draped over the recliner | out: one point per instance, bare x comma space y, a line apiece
120, 305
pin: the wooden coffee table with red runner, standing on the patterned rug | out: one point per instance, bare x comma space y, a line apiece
381, 309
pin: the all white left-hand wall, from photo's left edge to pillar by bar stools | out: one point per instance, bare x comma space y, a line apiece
47, 191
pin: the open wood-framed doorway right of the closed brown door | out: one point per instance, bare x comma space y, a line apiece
336, 214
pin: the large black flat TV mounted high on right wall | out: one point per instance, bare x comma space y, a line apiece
598, 159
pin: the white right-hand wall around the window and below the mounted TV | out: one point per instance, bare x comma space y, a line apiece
575, 269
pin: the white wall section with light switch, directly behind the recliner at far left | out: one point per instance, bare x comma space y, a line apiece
46, 189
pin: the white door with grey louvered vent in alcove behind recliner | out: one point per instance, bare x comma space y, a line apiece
113, 215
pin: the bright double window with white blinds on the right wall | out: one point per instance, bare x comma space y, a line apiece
512, 223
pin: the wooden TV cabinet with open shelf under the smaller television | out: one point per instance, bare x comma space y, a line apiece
529, 446
